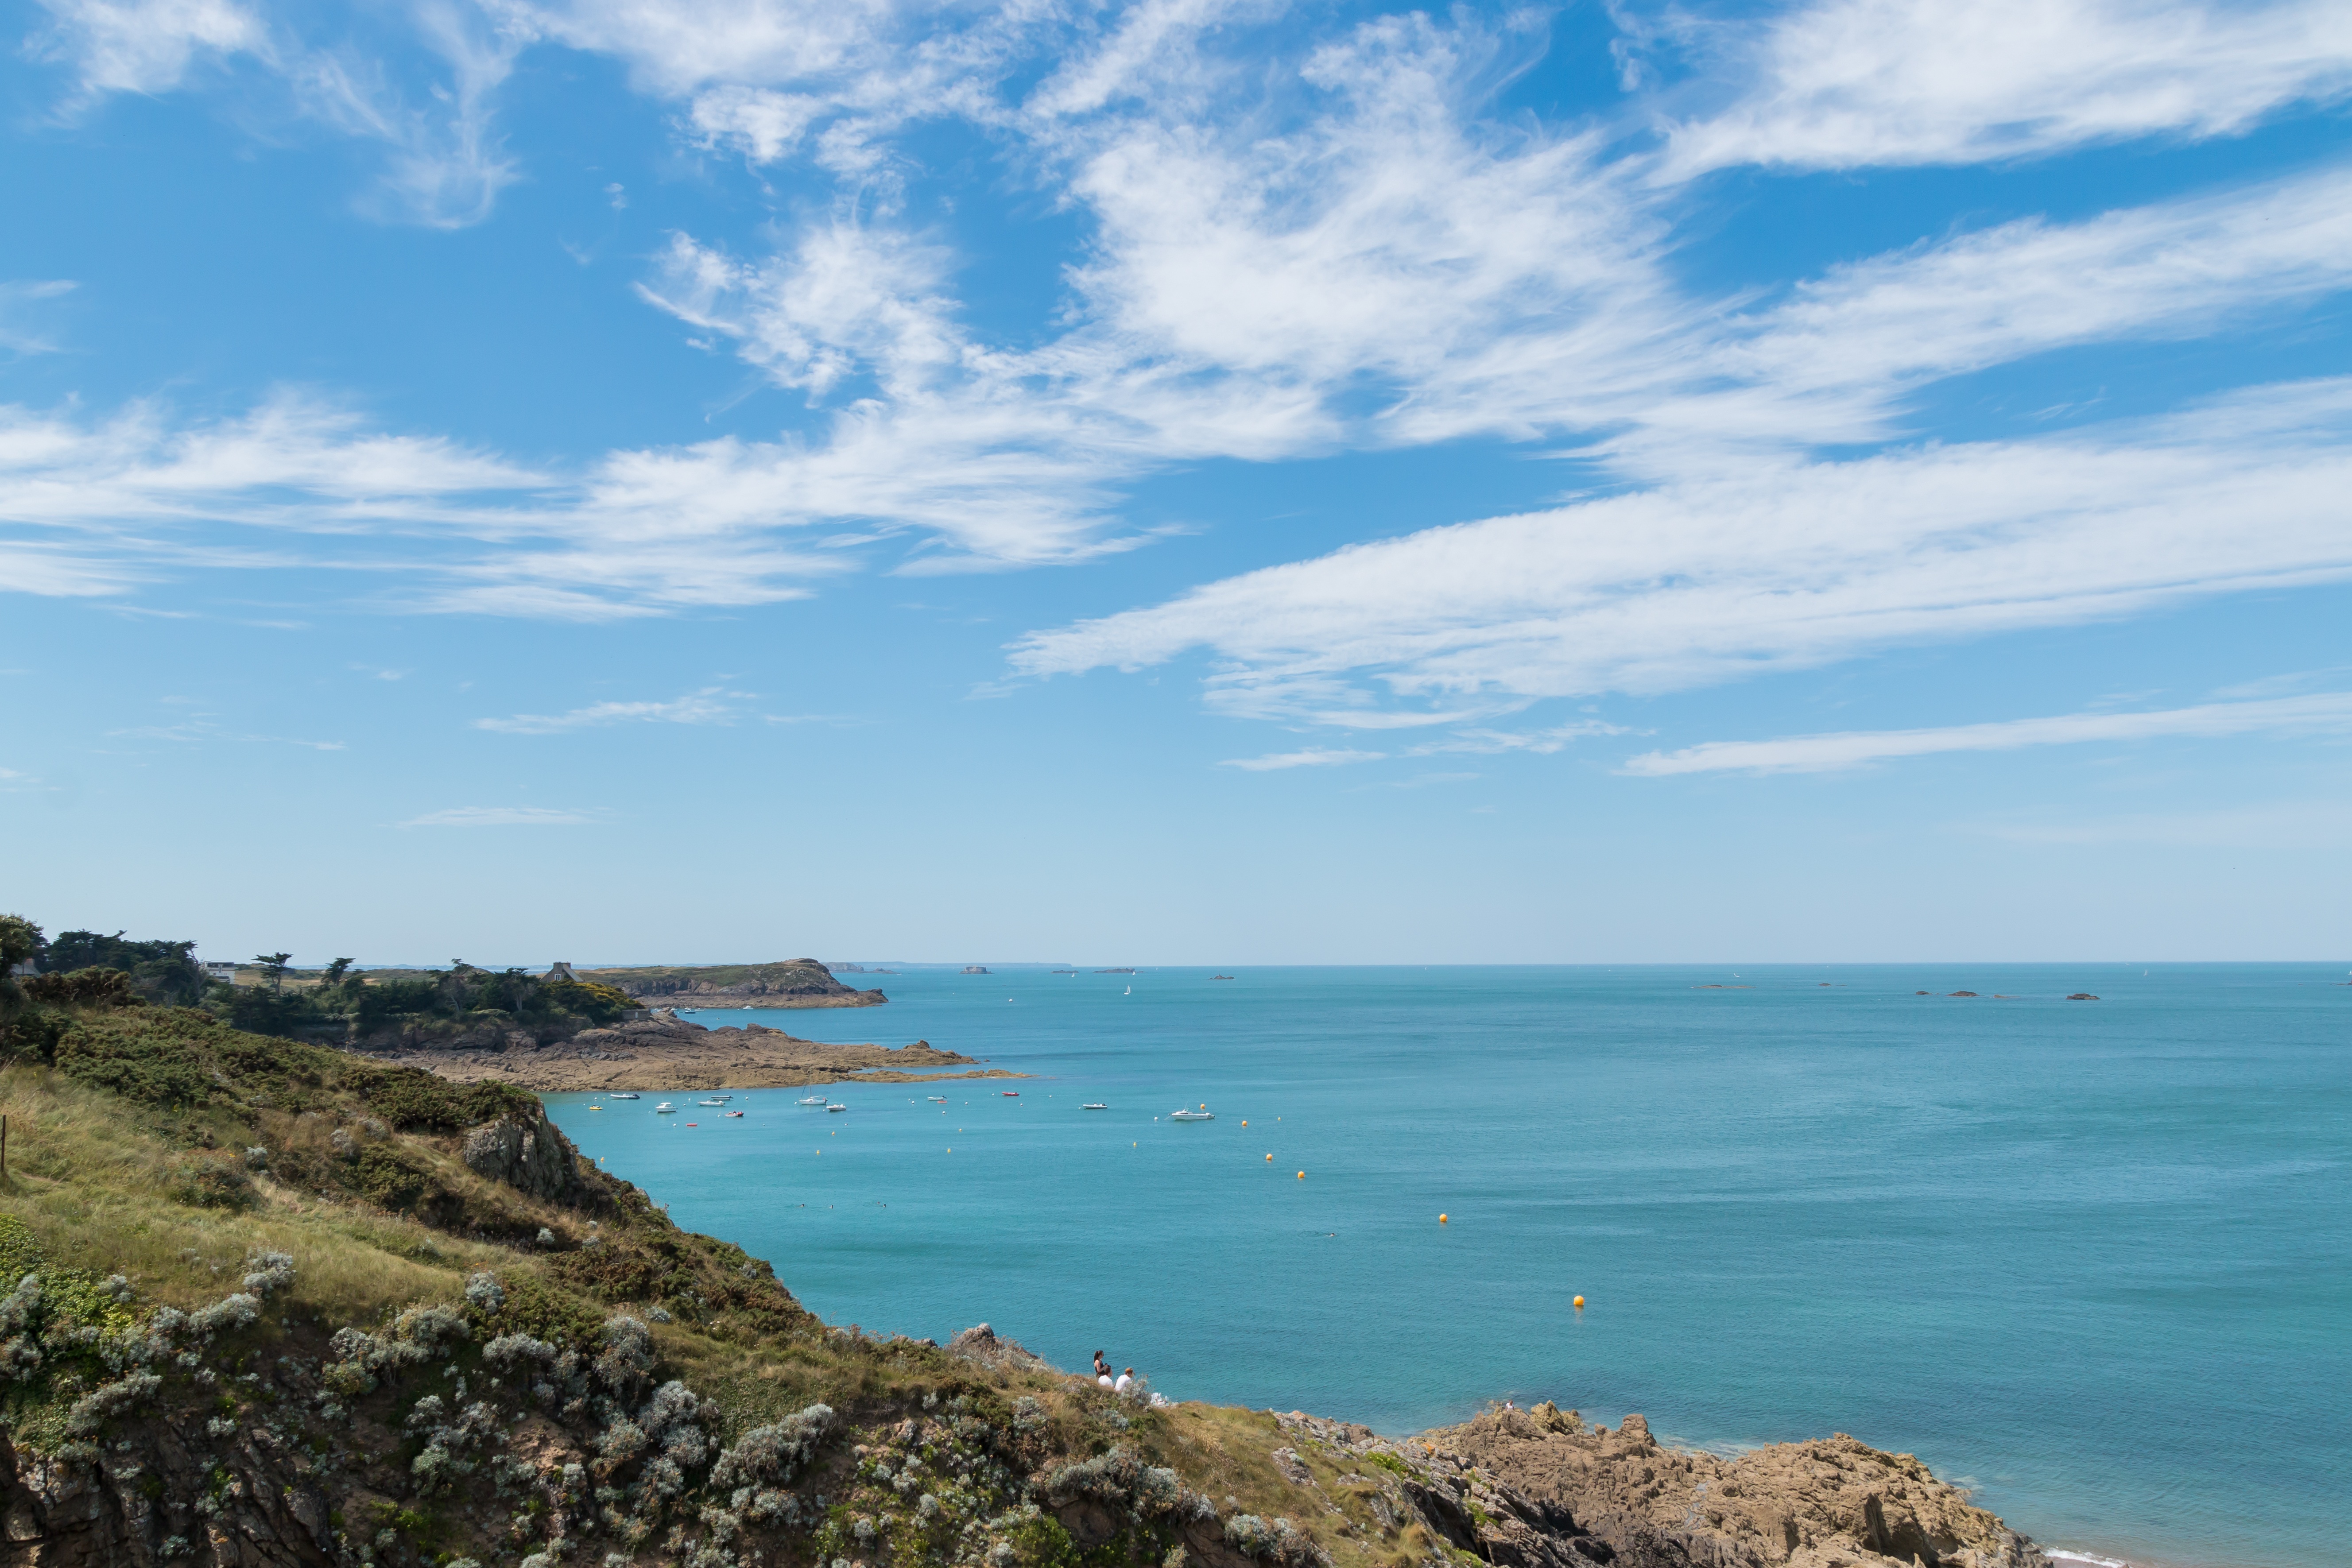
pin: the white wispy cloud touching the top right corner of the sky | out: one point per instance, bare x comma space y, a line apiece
1852, 83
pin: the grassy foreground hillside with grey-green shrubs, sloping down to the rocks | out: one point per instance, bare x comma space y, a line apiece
283, 1304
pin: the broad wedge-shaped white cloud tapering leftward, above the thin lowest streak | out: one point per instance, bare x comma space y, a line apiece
1770, 568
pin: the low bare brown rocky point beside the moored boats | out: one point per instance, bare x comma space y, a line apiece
671, 1054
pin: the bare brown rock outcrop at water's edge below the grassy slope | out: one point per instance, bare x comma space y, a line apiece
1798, 1506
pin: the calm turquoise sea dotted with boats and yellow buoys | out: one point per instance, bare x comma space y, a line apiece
2092, 1259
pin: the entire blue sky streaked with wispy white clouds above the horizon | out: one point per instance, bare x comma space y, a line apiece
1196, 481
